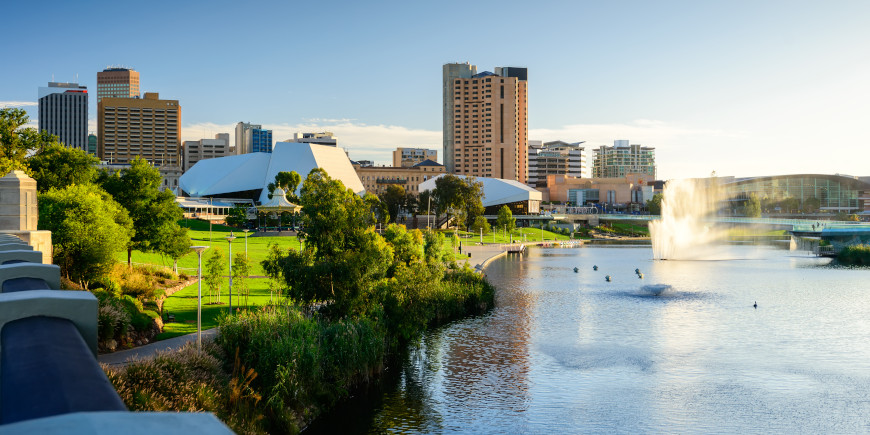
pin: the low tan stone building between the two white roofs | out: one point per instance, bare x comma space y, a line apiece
376, 179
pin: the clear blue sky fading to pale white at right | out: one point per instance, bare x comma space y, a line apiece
742, 88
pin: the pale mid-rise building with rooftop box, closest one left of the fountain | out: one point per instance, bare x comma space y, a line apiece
623, 159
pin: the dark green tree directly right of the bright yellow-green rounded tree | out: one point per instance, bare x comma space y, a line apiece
153, 211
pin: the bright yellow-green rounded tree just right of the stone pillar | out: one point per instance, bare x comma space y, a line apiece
87, 227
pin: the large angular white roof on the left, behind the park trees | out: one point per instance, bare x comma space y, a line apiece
224, 175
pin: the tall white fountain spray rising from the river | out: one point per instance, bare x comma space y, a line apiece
685, 231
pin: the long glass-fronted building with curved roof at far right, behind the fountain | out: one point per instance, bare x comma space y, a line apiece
833, 193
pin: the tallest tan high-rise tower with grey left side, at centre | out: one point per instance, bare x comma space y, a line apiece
486, 122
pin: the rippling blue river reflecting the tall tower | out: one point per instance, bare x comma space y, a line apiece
566, 352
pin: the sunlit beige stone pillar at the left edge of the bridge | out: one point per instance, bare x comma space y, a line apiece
19, 213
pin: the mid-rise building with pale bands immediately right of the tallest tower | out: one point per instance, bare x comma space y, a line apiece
555, 158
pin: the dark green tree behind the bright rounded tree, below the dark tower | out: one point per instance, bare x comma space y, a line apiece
56, 166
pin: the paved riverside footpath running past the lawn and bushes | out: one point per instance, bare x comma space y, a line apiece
481, 255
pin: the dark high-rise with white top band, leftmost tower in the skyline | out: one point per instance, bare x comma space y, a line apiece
63, 111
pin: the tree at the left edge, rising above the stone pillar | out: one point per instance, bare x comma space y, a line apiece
17, 141
